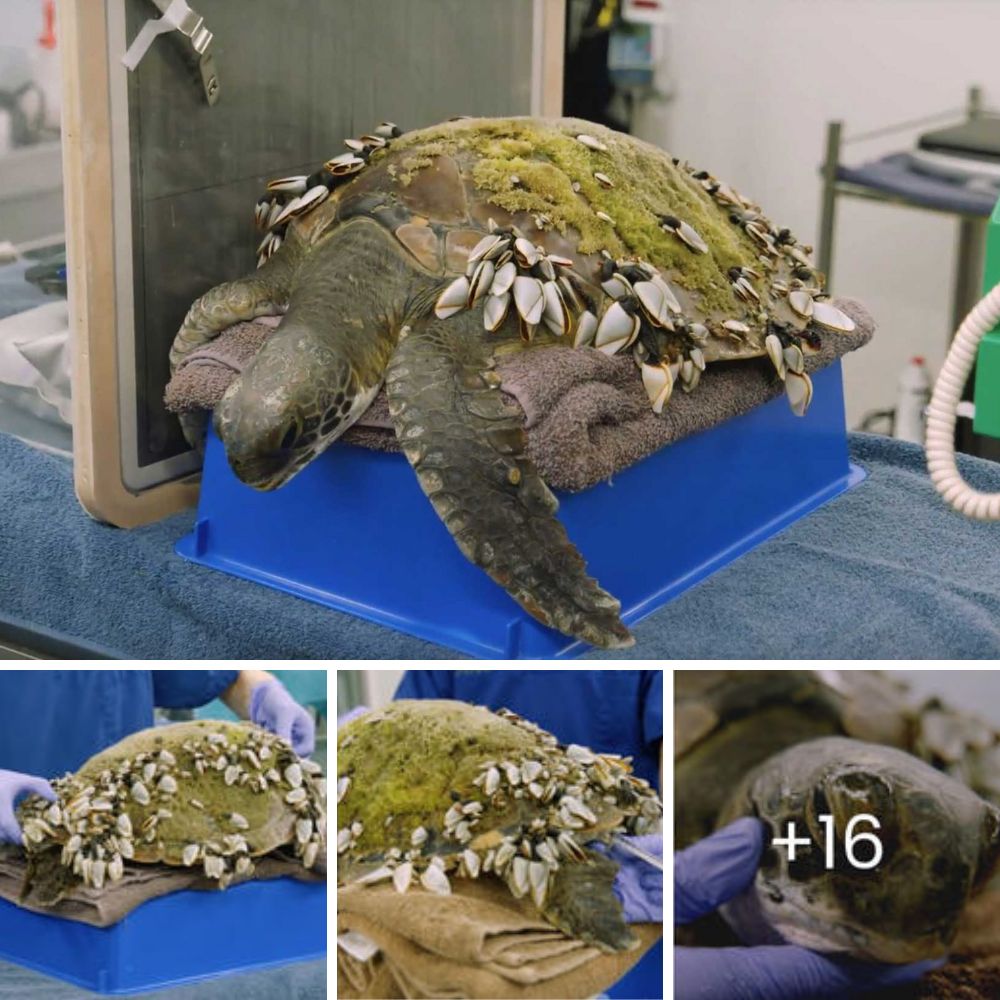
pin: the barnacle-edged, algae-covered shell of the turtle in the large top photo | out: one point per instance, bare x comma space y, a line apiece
600, 216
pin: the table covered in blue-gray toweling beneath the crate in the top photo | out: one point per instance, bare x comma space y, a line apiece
884, 570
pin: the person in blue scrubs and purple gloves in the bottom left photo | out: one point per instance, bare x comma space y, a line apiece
54, 720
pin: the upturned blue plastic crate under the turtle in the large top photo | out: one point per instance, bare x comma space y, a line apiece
355, 532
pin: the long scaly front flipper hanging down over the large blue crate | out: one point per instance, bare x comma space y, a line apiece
468, 448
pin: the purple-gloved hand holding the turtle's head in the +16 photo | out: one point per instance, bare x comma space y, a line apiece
717, 869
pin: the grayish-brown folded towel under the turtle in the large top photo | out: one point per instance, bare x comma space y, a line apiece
587, 415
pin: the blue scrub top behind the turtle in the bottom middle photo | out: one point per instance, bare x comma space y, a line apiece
614, 711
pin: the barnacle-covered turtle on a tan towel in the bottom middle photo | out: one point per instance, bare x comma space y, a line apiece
428, 790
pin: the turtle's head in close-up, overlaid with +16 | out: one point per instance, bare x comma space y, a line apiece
909, 846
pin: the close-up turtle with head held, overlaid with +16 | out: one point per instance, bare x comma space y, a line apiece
764, 744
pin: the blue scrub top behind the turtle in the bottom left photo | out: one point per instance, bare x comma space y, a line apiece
51, 721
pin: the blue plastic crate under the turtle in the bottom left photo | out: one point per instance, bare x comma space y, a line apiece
174, 939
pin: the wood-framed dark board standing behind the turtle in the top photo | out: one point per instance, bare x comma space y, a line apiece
160, 184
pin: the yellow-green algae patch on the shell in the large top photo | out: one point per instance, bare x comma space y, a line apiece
546, 158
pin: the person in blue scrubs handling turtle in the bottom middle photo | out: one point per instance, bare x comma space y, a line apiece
613, 711
